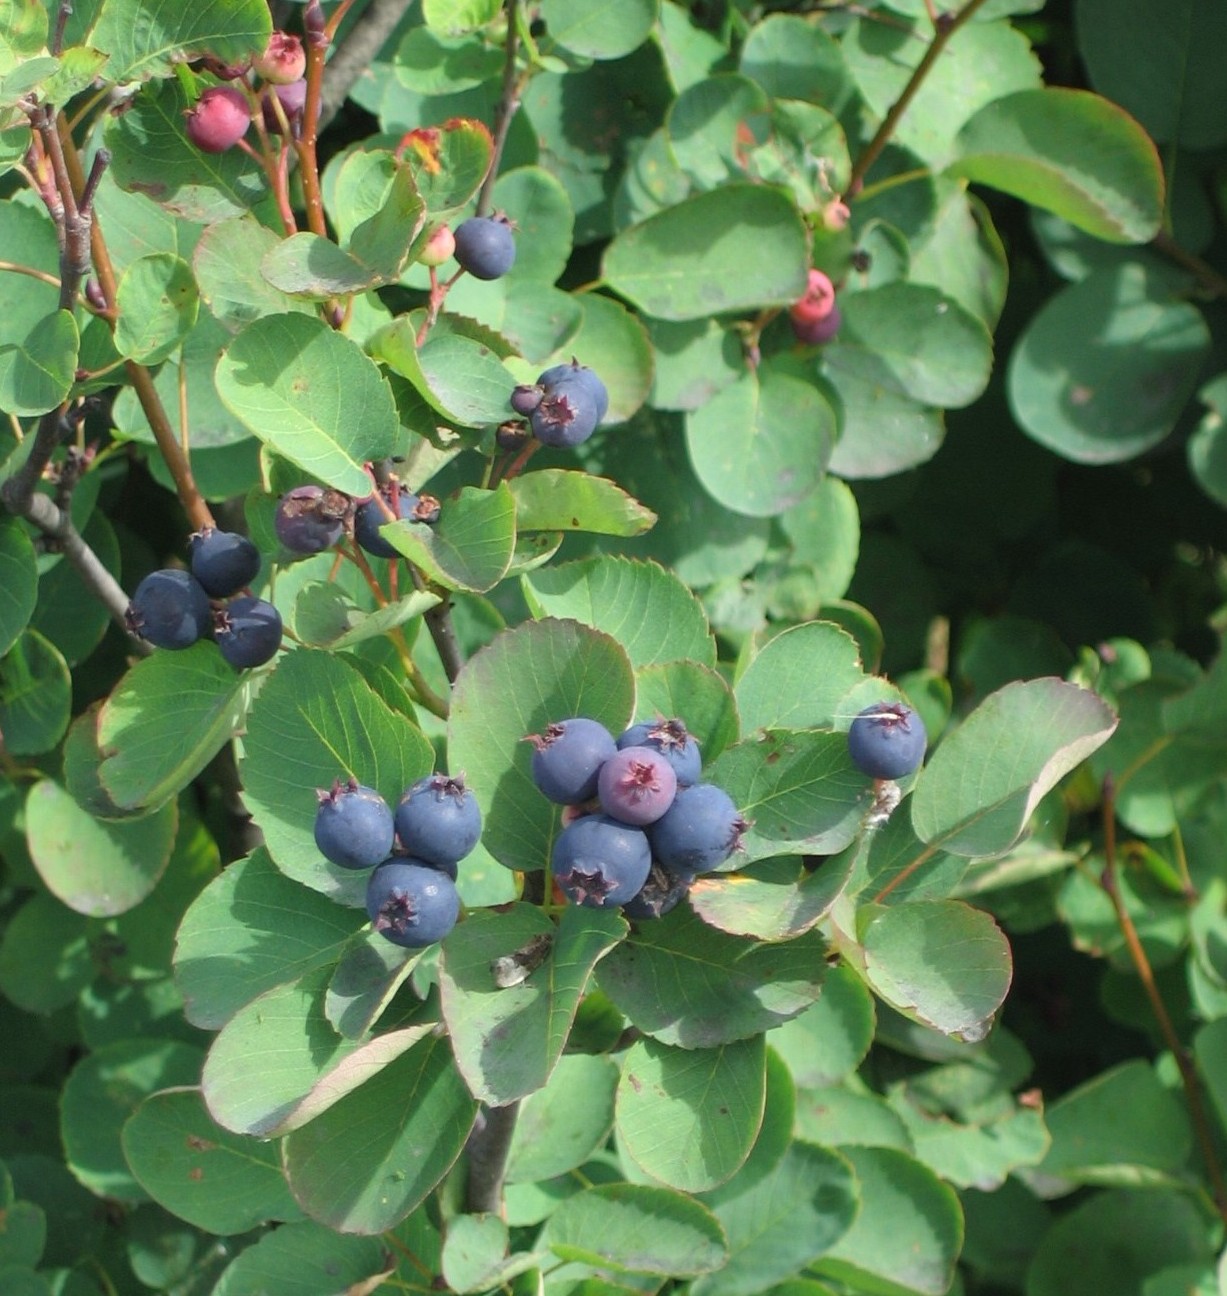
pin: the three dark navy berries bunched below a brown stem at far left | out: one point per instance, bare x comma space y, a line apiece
174, 608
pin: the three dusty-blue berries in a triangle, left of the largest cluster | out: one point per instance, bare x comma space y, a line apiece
414, 852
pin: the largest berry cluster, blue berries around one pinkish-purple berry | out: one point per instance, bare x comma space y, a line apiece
642, 827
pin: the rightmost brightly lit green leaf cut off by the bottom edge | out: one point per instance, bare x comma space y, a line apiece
908, 1234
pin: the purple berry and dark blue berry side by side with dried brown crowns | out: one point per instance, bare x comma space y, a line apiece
313, 519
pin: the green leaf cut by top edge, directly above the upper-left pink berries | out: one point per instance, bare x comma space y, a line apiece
147, 38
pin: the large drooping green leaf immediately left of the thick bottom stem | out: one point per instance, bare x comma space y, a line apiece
374, 1157
